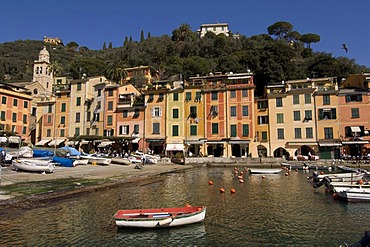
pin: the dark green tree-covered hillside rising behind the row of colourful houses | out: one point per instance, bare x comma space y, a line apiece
281, 54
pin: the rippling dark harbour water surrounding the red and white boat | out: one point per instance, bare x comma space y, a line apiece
276, 211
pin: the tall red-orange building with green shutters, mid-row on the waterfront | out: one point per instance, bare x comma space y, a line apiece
228, 112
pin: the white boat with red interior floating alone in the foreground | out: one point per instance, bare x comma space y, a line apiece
159, 217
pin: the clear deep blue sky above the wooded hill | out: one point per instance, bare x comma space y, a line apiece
91, 23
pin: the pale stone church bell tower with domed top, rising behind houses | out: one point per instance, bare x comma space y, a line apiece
42, 71
